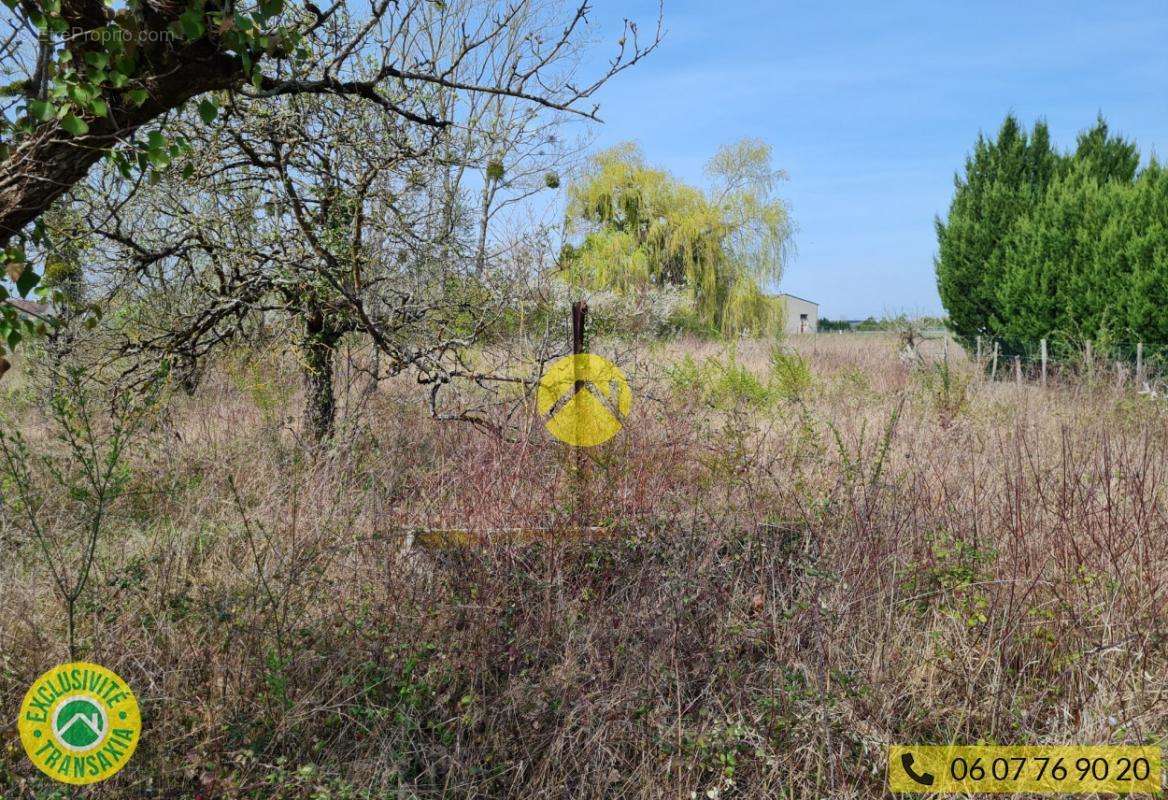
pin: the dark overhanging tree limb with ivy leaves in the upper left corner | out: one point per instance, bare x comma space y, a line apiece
85, 80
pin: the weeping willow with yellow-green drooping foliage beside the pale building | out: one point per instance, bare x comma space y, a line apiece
634, 228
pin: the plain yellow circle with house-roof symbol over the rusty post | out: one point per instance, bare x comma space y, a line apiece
586, 400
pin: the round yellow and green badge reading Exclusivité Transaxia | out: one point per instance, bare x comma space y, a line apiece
80, 724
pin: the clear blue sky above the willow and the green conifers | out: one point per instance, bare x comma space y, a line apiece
871, 108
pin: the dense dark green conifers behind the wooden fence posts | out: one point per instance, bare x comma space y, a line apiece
1070, 246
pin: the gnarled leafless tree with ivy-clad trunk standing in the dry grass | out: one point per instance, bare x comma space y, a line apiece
338, 219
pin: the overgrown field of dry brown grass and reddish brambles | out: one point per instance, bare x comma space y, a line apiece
814, 553
